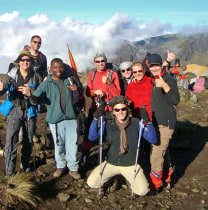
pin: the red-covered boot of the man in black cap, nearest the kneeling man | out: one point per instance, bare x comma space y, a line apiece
155, 180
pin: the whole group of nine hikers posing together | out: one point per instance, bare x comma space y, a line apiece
131, 106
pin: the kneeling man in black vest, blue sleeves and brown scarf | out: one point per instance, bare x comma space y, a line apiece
122, 133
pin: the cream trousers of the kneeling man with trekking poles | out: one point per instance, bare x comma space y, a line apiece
141, 185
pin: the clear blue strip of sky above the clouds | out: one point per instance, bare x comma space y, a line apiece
178, 12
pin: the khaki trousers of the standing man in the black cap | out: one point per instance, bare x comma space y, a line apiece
160, 157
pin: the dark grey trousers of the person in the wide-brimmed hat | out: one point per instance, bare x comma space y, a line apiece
15, 120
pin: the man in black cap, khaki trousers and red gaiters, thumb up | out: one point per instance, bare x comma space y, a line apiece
164, 99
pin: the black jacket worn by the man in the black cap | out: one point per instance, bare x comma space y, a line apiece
162, 104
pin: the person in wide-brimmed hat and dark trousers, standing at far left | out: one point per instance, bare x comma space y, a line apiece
22, 112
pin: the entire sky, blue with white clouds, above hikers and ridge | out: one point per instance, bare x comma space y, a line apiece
89, 26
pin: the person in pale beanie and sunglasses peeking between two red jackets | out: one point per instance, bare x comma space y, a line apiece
127, 76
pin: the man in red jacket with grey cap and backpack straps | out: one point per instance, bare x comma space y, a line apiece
102, 83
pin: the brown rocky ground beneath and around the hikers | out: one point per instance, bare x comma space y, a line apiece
189, 151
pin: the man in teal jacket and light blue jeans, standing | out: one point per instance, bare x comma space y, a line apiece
62, 96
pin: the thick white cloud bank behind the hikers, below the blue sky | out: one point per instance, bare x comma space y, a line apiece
84, 39
